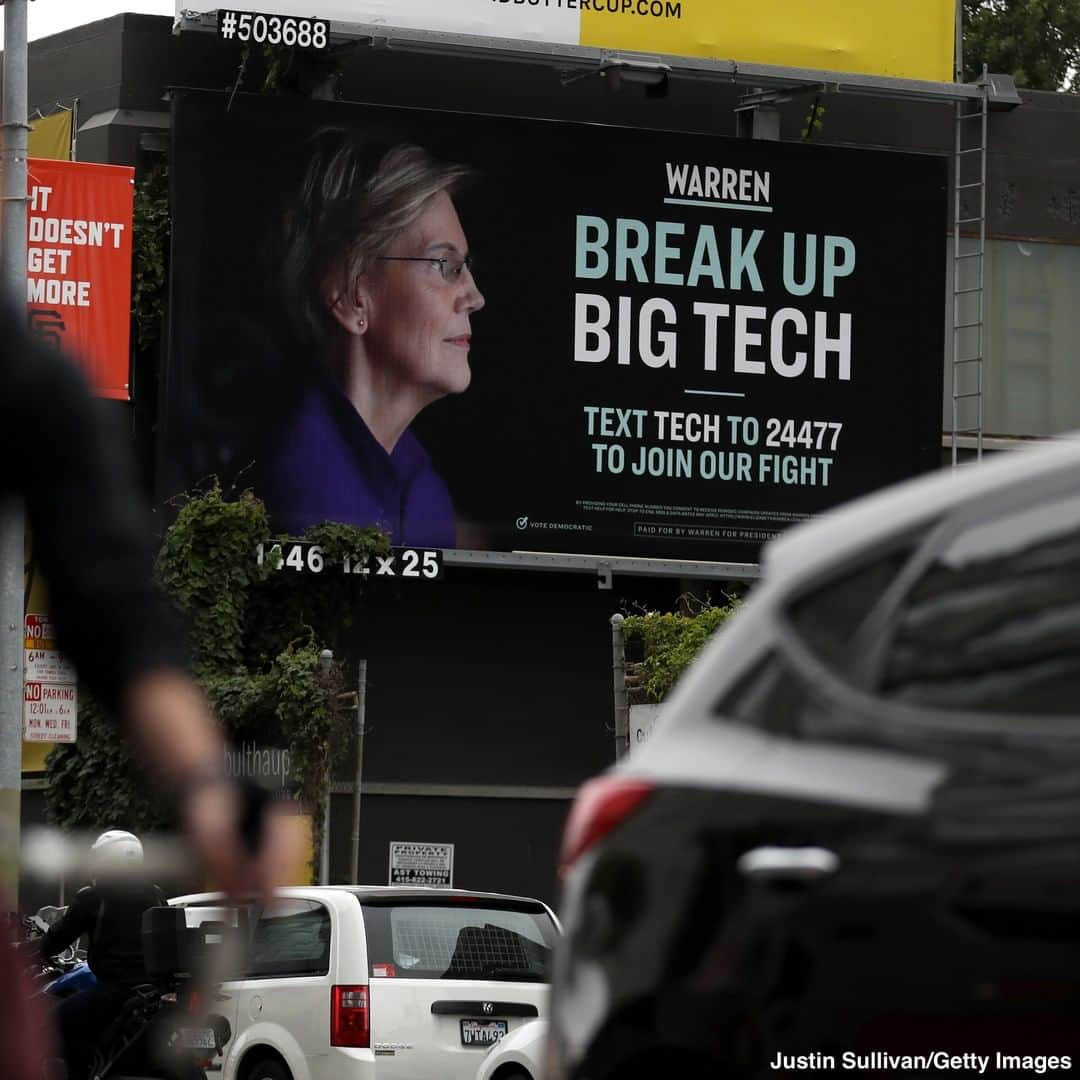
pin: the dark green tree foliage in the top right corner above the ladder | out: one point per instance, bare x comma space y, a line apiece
1035, 42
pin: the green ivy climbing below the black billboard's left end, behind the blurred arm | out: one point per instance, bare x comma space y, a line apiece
256, 636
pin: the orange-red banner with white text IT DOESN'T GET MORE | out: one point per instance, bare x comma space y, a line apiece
79, 266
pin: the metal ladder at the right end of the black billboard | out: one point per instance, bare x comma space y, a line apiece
969, 268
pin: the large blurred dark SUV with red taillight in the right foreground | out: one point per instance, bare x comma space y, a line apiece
853, 844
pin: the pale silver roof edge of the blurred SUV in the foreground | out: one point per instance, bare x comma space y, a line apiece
858, 526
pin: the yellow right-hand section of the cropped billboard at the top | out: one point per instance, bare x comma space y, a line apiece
908, 39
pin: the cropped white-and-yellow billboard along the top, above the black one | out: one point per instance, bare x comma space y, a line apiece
911, 39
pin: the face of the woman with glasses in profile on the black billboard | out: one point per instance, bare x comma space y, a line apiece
418, 322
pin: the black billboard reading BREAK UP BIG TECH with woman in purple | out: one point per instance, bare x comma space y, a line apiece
660, 345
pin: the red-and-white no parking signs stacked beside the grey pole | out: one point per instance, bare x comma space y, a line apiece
50, 692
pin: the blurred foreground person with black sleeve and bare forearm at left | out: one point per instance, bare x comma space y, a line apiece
97, 550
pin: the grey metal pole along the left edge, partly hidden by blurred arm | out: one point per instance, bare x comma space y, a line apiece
13, 139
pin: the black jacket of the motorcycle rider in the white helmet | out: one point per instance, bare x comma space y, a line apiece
112, 917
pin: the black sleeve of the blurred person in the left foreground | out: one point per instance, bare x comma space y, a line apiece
90, 524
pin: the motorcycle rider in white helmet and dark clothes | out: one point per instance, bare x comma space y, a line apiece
111, 913
